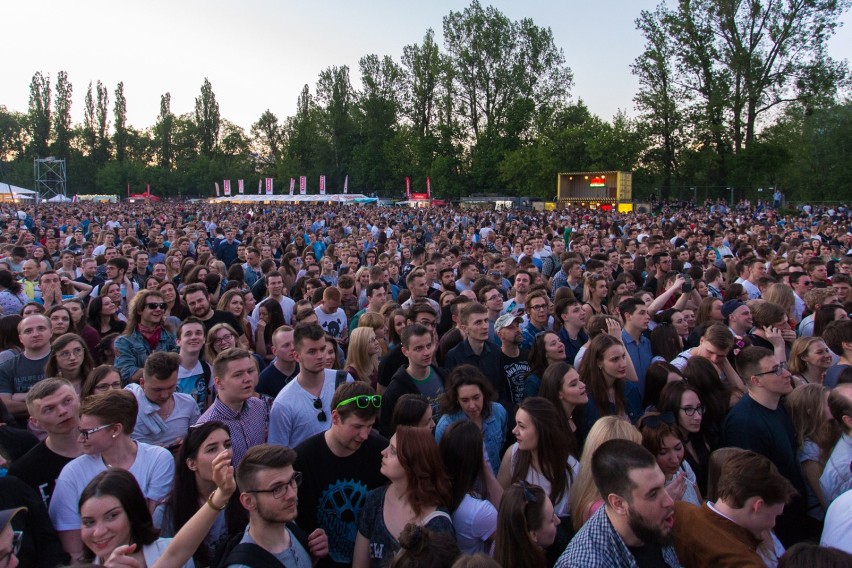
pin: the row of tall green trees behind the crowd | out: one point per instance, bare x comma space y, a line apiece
728, 97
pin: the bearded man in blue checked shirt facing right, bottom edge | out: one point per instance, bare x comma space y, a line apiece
634, 527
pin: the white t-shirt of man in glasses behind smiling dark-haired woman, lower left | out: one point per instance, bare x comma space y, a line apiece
154, 470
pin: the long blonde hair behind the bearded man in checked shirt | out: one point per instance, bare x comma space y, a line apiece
584, 492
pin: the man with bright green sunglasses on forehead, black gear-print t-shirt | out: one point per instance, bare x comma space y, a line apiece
345, 462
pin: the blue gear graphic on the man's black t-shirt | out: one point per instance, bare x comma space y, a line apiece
337, 512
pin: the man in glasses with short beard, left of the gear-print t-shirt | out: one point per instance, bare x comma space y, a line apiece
268, 491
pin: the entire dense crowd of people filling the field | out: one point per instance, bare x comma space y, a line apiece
192, 384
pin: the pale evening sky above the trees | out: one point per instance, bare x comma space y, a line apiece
258, 54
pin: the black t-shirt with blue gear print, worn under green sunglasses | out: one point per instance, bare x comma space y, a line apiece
332, 495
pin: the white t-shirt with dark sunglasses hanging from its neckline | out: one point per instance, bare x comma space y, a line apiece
294, 418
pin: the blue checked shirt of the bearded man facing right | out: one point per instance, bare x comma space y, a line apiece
597, 545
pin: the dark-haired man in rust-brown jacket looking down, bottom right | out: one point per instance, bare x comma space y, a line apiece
751, 495
